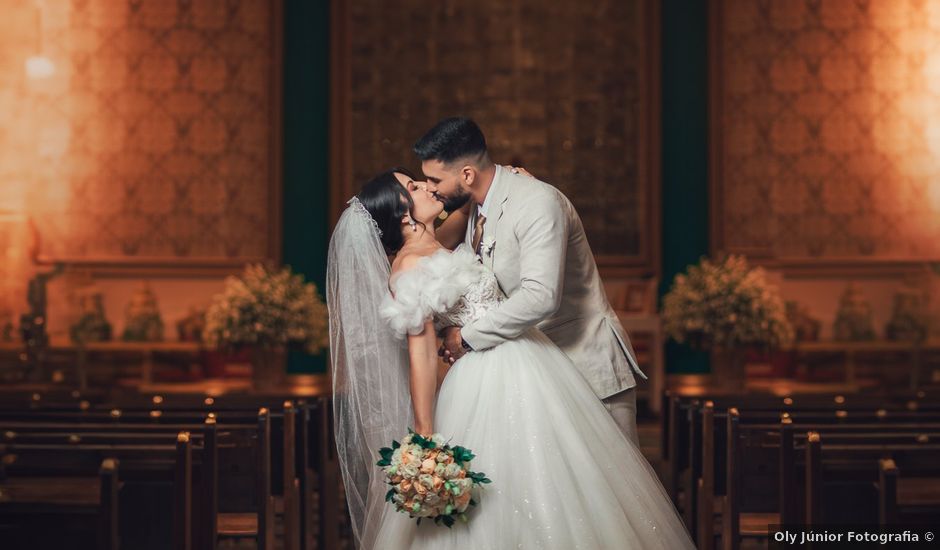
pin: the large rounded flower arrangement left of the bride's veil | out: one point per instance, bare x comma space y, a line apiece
268, 309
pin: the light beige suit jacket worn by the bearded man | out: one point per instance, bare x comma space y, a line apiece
535, 243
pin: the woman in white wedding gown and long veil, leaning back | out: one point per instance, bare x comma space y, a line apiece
563, 475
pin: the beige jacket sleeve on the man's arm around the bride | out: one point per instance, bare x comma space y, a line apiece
541, 228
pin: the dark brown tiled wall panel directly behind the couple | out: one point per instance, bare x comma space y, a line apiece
556, 86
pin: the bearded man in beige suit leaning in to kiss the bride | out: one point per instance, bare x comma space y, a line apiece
531, 236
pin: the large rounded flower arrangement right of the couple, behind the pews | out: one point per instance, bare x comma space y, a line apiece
727, 304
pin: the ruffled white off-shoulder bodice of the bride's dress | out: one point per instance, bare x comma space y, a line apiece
451, 288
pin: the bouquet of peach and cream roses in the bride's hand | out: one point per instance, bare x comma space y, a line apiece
429, 478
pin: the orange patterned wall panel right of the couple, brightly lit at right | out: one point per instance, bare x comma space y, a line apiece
829, 139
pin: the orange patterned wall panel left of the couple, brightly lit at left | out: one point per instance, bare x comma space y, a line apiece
153, 137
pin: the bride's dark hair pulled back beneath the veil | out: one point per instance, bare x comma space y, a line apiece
387, 202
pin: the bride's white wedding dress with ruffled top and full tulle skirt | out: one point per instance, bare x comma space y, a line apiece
563, 475
